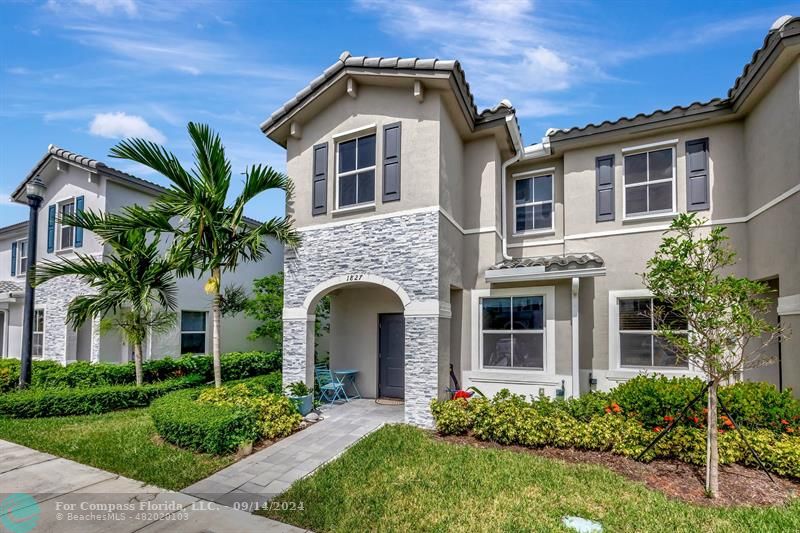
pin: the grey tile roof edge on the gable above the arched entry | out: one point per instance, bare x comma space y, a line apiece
347, 60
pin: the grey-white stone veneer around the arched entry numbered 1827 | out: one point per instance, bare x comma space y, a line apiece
403, 252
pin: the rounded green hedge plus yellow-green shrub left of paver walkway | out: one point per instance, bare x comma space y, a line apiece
219, 420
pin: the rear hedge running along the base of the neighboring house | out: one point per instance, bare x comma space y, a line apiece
51, 374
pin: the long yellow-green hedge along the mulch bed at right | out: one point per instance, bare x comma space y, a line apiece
512, 420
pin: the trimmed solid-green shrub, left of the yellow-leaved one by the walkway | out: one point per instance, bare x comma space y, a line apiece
205, 427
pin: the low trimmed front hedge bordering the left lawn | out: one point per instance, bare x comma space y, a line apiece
85, 401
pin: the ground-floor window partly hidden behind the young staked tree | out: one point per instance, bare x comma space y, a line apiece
639, 345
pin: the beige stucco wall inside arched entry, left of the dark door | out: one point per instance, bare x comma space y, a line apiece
354, 332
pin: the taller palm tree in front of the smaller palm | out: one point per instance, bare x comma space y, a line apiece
215, 234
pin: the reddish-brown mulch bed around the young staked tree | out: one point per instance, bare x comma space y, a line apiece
738, 485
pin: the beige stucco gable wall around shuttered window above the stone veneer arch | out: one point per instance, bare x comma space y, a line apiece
419, 150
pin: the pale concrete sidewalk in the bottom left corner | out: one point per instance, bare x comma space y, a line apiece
40, 492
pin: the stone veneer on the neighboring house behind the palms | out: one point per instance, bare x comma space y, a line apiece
54, 297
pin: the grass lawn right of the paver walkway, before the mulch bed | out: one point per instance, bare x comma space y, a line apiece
400, 479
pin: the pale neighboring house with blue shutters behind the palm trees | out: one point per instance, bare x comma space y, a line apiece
75, 182
